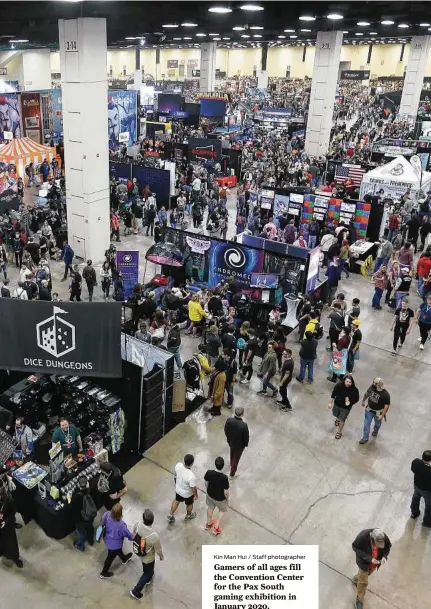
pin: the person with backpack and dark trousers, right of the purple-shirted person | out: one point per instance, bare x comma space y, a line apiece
146, 544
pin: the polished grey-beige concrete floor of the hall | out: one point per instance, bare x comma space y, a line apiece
296, 485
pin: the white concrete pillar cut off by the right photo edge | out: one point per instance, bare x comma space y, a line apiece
414, 78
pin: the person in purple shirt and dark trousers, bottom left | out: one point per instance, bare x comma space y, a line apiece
115, 532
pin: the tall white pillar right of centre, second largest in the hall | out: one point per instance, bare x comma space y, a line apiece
323, 89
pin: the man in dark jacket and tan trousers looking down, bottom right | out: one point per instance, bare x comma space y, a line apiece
372, 547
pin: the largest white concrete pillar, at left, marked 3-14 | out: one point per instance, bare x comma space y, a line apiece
83, 51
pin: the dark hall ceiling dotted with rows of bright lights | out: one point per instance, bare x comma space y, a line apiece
128, 22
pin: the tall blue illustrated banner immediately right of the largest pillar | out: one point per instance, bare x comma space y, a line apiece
122, 109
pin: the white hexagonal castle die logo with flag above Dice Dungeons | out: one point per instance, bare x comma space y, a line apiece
55, 335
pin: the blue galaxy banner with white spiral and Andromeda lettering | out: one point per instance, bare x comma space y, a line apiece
231, 261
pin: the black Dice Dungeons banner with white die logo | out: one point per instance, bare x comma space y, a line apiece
65, 338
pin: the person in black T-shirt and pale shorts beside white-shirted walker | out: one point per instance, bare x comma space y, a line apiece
217, 495
